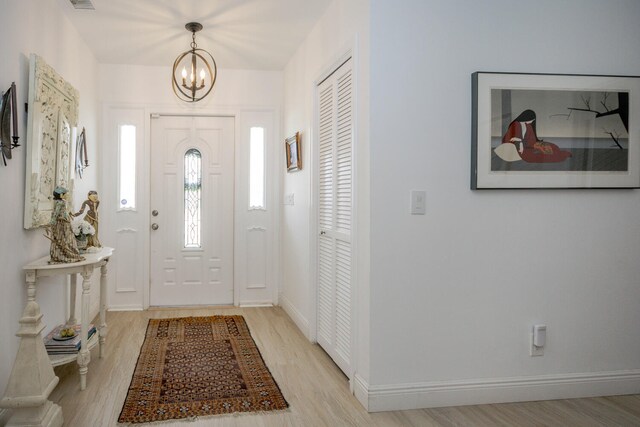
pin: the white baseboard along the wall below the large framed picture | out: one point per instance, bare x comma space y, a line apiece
496, 390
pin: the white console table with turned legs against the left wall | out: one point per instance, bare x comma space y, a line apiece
32, 378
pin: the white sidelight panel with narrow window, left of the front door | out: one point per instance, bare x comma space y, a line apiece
125, 226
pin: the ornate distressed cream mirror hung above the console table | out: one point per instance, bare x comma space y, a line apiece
53, 113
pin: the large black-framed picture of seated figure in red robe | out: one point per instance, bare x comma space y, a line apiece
555, 131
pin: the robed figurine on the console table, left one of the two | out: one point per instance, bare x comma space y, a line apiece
63, 241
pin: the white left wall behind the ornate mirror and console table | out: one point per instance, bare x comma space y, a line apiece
36, 26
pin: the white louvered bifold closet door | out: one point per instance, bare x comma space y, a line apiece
334, 299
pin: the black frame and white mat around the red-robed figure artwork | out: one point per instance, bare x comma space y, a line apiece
481, 175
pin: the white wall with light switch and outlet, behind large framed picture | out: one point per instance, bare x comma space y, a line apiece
454, 293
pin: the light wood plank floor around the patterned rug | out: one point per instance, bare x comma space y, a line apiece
317, 391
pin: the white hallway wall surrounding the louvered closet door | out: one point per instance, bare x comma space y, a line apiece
344, 27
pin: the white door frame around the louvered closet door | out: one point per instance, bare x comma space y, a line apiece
333, 65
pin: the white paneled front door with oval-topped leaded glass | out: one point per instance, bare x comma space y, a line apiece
192, 189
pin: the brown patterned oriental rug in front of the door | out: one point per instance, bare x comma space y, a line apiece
196, 366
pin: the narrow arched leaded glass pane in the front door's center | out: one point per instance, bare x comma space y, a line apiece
192, 198
